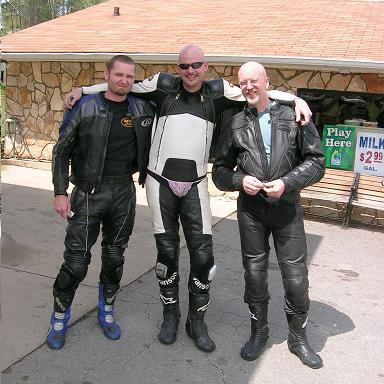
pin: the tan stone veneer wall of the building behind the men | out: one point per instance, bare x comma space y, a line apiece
35, 91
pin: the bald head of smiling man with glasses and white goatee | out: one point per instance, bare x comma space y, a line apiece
254, 83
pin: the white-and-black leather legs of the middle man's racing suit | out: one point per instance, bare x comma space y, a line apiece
193, 211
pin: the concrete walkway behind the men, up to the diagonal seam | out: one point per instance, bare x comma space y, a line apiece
32, 247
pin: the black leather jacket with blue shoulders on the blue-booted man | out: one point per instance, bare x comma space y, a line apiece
83, 139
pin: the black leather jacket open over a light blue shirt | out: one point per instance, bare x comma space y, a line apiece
297, 156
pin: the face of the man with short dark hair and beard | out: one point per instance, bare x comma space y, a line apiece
120, 79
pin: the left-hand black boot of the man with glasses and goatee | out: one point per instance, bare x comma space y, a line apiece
259, 332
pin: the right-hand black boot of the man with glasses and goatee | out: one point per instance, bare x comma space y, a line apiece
298, 343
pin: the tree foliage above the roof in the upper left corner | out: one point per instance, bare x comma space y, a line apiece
20, 14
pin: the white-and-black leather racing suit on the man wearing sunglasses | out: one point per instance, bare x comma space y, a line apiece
176, 186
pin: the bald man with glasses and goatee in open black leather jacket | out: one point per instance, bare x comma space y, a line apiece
275, 158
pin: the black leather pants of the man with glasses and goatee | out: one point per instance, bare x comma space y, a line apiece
285, 222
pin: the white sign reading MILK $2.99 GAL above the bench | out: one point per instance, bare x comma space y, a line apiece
369, 153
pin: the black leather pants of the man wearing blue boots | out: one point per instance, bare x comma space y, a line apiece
113, 207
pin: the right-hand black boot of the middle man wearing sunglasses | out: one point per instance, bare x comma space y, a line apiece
195, 325
